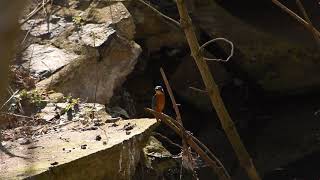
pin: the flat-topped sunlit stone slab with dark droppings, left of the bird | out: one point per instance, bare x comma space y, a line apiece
60, 156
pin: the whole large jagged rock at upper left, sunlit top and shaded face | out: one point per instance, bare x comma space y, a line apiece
106, 57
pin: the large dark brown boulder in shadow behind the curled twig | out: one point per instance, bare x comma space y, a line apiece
270, 53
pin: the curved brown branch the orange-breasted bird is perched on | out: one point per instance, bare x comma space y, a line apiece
193, 142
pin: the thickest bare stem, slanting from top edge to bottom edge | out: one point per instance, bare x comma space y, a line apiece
214, 94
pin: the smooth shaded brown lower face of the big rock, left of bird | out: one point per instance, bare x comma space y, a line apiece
82, 76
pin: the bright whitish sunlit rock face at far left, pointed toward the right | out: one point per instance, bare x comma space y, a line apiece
43, 60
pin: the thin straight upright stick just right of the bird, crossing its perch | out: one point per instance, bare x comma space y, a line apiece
185, 150
